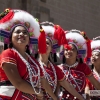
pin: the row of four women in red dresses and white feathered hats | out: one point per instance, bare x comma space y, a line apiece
28, 55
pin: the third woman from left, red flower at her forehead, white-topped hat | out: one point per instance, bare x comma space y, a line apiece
73, 66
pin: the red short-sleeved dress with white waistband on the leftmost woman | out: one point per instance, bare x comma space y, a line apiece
7, 90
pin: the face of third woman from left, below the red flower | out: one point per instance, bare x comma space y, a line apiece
70, 54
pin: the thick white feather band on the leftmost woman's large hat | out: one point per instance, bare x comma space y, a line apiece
22, 17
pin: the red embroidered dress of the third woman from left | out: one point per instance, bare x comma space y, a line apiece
75, 76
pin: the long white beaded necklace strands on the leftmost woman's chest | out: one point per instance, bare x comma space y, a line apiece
31, 71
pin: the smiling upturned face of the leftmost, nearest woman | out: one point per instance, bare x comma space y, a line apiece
20, 36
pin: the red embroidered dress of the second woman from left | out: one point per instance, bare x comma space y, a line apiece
53, 74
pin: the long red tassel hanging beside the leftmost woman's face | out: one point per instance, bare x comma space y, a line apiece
42, 41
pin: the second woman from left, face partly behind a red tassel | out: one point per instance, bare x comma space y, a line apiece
51, 71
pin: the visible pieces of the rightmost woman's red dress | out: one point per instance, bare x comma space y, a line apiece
91, 87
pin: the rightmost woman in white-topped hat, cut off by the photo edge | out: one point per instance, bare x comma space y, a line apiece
95, 61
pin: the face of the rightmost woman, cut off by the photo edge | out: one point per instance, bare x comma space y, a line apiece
95, 58
